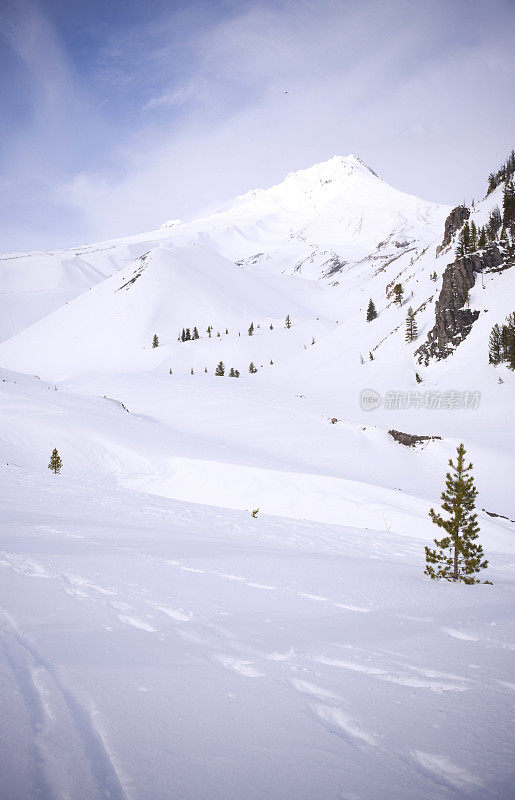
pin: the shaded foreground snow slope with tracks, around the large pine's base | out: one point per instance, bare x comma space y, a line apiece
156, 649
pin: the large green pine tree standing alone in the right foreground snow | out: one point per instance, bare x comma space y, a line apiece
457, 557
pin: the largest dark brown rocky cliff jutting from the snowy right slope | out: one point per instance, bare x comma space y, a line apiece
452, 321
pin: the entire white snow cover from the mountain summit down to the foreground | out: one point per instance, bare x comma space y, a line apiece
157, 641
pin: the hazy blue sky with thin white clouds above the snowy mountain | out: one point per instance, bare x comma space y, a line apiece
117, 115
